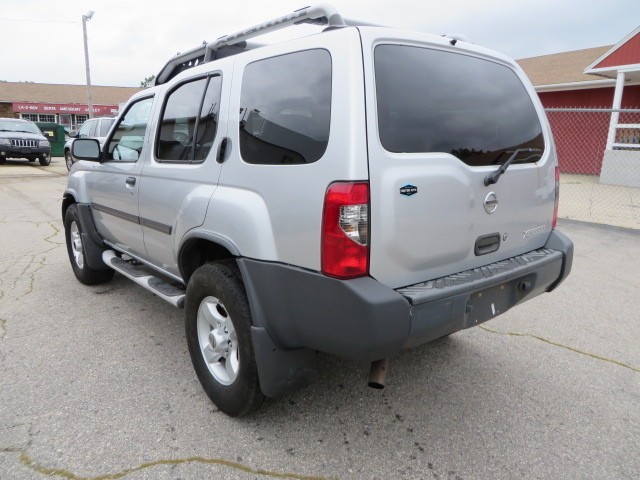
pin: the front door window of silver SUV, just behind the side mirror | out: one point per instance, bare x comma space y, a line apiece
128, 137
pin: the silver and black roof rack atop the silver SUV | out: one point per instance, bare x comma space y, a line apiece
320, 14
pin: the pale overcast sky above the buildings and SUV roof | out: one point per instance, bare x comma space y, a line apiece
41, 40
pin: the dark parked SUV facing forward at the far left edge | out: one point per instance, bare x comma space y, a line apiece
23, 139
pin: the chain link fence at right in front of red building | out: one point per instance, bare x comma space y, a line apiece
599, 157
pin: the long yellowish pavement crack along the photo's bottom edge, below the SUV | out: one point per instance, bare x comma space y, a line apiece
28, 462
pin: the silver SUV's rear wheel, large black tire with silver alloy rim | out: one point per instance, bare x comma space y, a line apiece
218, 330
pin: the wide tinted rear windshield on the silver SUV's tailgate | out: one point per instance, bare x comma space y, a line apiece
435, 101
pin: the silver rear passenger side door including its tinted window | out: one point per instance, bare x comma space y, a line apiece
182, 174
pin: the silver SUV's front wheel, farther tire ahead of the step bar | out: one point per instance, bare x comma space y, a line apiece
75, 249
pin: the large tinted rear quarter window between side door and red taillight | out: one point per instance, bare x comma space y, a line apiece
285, 109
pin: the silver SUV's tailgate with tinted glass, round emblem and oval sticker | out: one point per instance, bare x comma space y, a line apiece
440, 120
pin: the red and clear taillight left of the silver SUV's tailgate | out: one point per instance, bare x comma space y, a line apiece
345, 230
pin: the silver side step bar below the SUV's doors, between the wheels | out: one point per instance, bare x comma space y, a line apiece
143, 277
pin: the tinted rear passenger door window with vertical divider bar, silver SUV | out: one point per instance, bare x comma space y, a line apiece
189, 121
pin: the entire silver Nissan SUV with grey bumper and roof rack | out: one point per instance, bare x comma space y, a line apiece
354, 192
